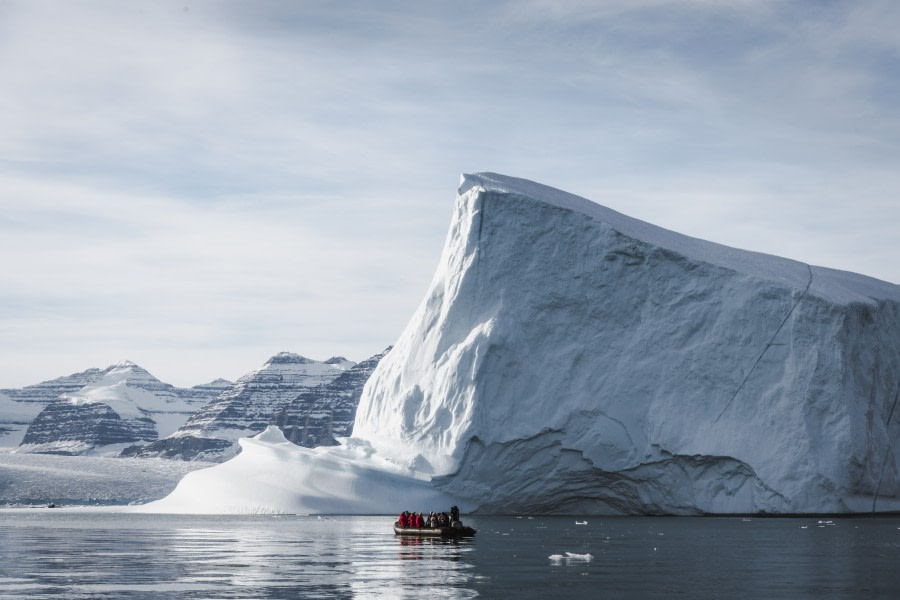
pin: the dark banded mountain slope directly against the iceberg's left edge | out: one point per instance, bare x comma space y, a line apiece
320, 414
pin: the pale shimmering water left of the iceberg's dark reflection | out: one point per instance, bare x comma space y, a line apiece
118, 556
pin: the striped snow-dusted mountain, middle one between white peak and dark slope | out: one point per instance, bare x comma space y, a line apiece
245, 409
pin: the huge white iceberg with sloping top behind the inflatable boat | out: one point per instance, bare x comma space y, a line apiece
569, 359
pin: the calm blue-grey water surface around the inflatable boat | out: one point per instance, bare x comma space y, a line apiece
55, 554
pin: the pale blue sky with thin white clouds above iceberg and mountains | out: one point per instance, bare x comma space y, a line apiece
196, 186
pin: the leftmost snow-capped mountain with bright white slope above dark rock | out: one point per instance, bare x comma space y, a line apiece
121, 404
